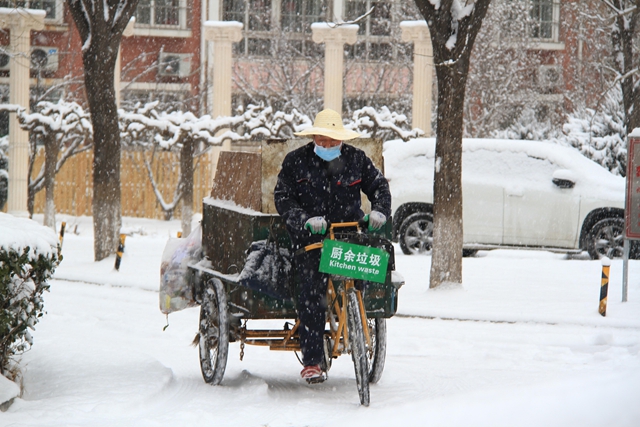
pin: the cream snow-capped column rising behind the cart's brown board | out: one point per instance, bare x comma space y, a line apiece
223, 34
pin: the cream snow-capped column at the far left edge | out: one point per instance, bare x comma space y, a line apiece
20, 23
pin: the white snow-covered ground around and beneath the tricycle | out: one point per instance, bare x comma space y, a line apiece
522, 344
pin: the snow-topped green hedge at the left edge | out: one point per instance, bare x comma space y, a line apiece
28, 258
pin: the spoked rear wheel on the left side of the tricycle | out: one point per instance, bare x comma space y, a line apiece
214, 332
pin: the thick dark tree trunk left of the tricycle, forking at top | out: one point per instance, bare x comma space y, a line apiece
100, 25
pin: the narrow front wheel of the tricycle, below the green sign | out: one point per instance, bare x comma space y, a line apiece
357, 344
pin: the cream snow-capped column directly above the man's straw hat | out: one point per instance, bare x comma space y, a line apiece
334, 38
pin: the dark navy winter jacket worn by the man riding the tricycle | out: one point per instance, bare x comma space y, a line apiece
309, 186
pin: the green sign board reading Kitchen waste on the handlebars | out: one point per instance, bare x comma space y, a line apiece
355, 261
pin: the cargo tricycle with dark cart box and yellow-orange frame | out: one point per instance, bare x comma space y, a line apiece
356, 309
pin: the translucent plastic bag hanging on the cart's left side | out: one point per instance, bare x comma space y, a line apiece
176, 293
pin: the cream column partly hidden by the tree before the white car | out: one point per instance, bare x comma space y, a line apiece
418, 33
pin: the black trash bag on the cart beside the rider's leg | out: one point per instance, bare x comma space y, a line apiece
268, 270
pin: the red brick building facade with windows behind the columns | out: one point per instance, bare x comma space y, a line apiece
277, 61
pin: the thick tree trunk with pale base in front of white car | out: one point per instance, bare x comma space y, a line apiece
452, 38
